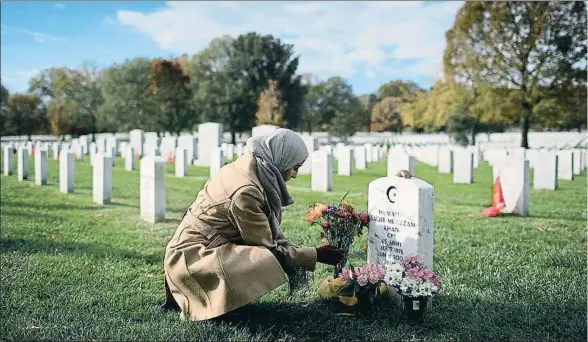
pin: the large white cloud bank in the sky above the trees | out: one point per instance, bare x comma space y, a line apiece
332, 38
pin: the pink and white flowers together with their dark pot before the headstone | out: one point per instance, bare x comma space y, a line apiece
414, 282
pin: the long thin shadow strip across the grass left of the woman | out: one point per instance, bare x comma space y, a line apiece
48, 246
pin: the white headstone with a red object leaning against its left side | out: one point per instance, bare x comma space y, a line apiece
515, 181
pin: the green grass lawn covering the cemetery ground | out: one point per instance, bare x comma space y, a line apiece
74, 270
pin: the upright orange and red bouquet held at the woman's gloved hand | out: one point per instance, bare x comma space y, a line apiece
340, 224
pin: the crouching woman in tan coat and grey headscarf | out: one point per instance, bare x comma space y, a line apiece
229, 250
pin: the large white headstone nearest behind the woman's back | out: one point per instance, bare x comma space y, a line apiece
152, 191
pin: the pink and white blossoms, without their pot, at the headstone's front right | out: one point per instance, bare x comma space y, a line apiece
412, 278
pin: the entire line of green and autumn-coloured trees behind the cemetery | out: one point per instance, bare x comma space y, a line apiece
506, 65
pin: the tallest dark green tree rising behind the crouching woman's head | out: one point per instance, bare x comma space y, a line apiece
235, 86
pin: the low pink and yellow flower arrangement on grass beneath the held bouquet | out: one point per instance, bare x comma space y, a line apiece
365, 285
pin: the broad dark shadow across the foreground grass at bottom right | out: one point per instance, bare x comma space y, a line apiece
462, 318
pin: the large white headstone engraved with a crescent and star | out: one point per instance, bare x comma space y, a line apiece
401, 220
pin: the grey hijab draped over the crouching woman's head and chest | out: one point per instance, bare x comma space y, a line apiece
274, 152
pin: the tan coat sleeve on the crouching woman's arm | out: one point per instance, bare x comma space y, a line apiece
246, 213
